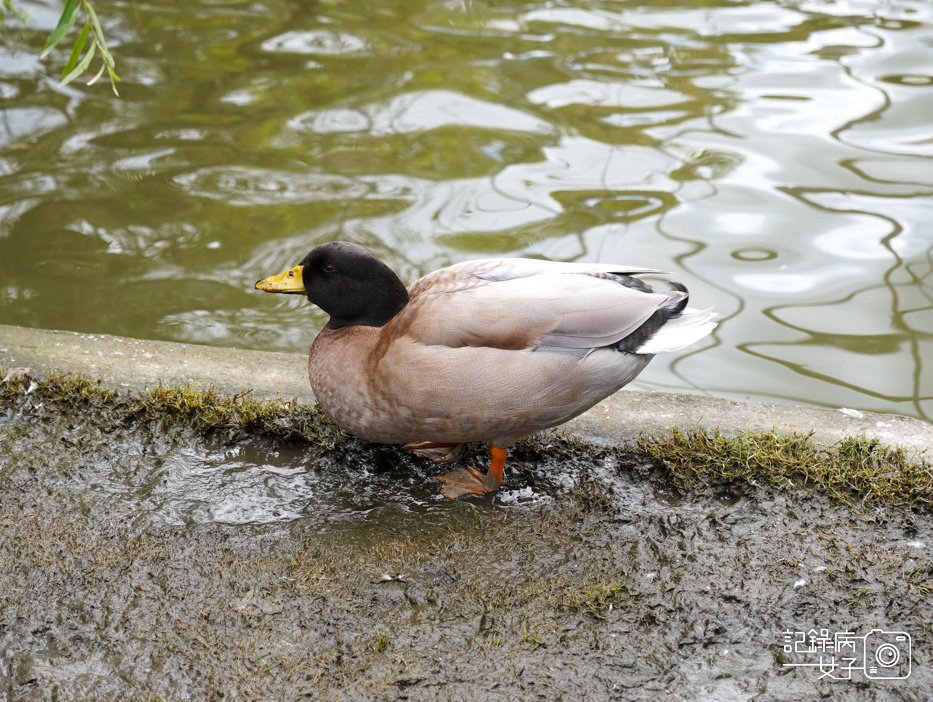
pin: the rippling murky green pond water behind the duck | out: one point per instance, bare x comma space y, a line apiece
775, 154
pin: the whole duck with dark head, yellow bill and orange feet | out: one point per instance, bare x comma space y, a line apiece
488, 350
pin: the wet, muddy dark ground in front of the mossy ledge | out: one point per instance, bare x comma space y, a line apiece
147, 561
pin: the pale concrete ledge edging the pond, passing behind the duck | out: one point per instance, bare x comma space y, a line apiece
135, 363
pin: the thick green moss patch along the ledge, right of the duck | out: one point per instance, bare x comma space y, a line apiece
857, 469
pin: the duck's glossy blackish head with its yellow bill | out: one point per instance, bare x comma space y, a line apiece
346, 281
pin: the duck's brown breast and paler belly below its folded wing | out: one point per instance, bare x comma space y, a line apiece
403, 391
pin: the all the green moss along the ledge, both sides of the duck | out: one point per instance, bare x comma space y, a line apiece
857, 469
